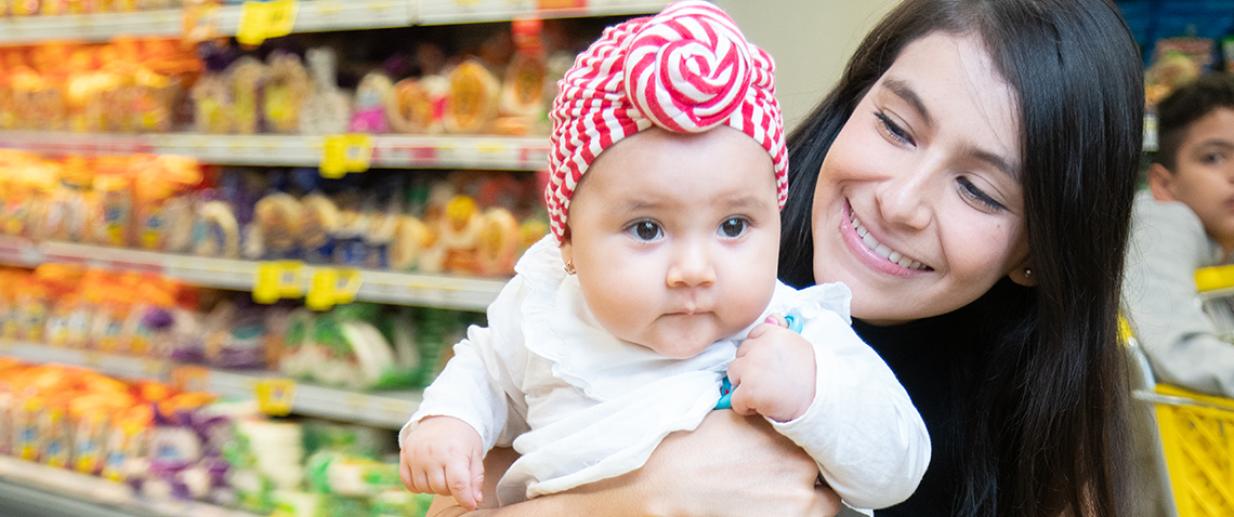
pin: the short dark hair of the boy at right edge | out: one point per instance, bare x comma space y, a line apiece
1184, 108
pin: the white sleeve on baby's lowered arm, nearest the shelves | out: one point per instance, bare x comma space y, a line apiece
478, 386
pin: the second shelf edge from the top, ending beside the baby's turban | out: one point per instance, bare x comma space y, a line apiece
389, 151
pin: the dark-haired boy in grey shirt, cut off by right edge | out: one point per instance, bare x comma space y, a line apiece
1184, 223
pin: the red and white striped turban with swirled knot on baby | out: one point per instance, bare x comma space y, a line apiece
688, 70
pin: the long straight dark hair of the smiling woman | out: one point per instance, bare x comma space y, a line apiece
1047, 434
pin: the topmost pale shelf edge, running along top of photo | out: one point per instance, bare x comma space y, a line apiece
314, 17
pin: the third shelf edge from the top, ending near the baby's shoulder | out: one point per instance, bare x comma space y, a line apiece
458, 293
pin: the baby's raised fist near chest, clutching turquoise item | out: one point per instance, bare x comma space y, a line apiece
774, 373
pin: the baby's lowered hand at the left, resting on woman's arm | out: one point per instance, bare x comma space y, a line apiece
444, 456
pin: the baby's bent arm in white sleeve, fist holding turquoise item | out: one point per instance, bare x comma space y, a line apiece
859, 424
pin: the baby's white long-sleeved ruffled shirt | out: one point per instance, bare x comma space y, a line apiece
581, 405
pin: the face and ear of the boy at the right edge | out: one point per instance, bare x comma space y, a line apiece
1204, 176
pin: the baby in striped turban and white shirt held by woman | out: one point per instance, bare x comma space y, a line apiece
658, 277
